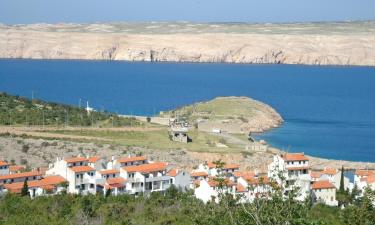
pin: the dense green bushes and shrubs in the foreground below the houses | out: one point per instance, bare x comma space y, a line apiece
176, 208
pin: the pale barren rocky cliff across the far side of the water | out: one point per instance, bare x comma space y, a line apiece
316, 48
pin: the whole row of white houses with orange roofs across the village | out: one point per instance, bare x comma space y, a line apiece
136, 175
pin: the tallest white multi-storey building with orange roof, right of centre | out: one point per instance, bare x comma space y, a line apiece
291, 170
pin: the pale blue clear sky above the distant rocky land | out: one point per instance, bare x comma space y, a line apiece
55, 11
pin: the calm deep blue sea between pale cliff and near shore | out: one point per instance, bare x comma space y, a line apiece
329, 111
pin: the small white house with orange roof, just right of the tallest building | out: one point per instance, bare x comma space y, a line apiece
324, 192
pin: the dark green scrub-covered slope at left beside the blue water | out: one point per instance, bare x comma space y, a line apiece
16, 110
